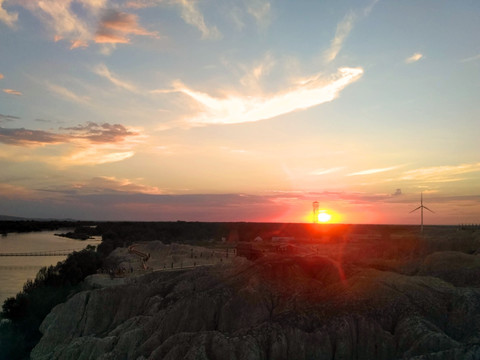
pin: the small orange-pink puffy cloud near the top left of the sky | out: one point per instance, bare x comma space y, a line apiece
116, 26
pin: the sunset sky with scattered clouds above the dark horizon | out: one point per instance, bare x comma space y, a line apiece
240, 110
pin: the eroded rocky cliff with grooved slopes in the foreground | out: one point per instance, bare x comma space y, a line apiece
278, 307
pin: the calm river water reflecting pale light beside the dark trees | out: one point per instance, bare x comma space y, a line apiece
15, 270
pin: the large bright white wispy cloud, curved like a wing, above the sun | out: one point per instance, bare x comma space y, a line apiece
234, 109
